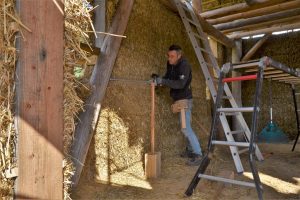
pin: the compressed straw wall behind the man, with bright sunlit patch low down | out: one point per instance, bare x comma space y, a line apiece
116, 154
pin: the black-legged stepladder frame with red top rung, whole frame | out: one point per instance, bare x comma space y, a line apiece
250, 145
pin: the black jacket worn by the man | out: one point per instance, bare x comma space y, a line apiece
179, 77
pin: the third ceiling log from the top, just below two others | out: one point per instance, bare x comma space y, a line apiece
258, 19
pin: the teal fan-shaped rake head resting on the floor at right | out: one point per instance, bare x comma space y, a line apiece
272, 134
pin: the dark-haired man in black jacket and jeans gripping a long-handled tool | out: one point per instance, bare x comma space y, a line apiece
178, 78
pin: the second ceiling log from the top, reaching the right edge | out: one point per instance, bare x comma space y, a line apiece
256, 12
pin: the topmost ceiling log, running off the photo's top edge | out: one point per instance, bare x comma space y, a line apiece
240, 7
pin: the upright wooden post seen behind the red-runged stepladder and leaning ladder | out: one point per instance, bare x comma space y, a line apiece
237, 85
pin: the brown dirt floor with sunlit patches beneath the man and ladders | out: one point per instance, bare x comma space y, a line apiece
279, 173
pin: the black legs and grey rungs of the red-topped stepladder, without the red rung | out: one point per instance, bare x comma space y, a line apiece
218, 110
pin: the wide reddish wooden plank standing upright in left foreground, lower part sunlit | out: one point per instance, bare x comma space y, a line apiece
40, 102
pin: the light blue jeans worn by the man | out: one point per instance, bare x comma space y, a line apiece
193, 143
